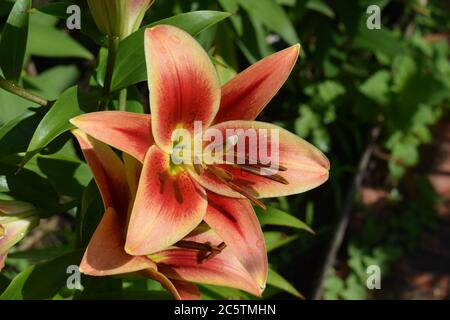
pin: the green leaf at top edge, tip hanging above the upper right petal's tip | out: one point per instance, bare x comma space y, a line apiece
273, 17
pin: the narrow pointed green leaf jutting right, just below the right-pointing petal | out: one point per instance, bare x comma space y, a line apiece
277, 217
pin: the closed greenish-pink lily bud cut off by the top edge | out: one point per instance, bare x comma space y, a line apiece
119, 18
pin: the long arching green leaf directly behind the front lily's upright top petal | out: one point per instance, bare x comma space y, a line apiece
130, 62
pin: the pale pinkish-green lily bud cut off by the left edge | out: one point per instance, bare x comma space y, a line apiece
16, 220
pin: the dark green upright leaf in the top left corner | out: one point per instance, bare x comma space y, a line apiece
14, 40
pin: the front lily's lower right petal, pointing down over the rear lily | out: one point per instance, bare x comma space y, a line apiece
235, 221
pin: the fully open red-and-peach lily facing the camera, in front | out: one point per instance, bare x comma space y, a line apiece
172, 199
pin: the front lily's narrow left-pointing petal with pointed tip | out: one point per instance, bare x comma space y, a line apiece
126, 131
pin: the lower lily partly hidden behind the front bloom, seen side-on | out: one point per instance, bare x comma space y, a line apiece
200, 257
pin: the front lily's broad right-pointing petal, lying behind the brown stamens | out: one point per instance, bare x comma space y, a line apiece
307, 167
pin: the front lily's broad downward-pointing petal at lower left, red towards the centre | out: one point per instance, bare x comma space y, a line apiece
168, 206
